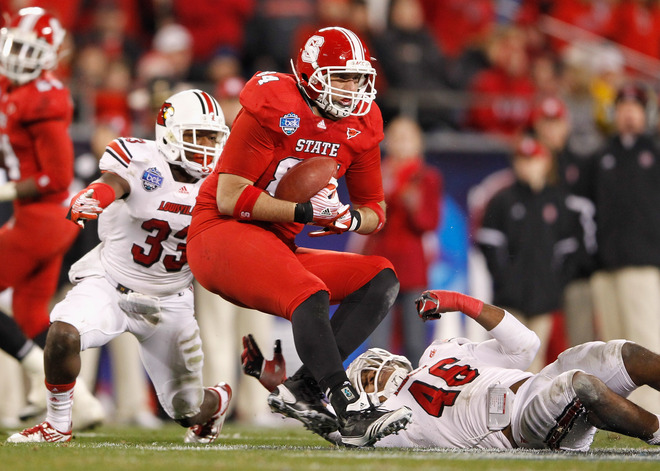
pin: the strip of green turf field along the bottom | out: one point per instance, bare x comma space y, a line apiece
293, 448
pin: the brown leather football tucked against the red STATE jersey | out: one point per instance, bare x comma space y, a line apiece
305, 179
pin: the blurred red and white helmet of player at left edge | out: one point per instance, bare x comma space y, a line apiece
29, 44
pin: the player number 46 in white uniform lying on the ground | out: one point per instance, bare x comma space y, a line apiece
477, 395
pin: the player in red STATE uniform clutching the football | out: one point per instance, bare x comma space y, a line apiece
241, 240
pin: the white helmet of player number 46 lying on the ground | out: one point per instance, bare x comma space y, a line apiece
378, 359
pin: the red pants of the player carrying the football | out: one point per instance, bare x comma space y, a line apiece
250, 266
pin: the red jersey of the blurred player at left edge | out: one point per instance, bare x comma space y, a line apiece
34, 120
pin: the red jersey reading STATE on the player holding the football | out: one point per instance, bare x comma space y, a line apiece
275, 130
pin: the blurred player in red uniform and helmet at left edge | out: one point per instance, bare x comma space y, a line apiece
35, 113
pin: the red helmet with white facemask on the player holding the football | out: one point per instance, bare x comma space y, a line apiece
331, 51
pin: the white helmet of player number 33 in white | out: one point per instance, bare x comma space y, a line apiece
190, 110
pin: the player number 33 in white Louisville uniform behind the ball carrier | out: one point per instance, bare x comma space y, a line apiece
137, 279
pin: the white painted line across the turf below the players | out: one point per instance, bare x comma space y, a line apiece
602, 454
